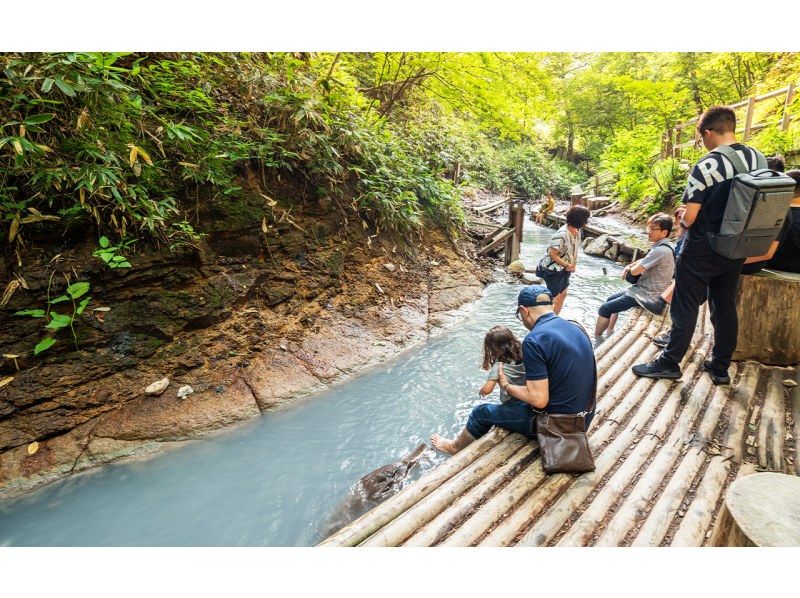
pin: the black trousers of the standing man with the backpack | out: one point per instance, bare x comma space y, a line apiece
700, 274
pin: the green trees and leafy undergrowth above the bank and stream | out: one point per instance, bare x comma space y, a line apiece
139, 145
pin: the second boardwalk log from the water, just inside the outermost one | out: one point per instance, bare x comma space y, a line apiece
405, 524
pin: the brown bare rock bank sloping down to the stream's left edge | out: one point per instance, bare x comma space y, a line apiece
248, 321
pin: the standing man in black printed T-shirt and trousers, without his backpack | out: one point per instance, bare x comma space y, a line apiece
702, 272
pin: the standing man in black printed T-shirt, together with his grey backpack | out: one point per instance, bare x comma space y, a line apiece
726, 223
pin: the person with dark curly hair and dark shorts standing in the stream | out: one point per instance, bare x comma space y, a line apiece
562, 255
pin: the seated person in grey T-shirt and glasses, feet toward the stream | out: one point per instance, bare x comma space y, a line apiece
650, 276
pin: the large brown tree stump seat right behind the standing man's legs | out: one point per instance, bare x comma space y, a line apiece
769, 318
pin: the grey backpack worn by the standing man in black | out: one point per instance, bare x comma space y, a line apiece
757, 205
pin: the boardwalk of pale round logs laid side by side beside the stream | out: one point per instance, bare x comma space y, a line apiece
665, 452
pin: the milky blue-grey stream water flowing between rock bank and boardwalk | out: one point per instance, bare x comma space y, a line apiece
278, 479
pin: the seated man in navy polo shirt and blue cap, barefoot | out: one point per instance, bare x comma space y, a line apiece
559, 374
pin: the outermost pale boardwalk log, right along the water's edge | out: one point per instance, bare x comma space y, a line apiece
368, 523
